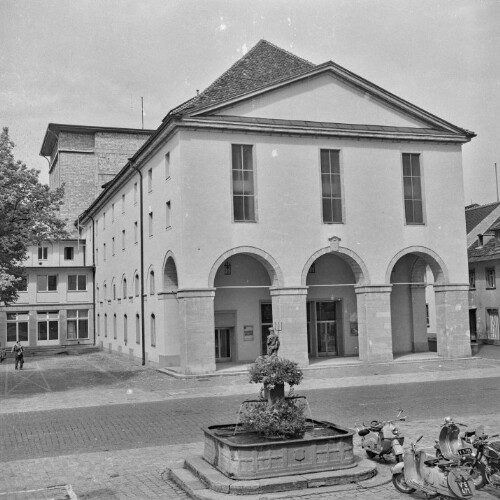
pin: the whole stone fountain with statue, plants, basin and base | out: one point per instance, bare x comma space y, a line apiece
272, 438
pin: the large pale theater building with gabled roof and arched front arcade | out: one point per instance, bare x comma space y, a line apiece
291, 195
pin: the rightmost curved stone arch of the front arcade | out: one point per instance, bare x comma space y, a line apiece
426, 257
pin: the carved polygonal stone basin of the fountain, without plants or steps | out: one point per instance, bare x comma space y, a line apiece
246, 455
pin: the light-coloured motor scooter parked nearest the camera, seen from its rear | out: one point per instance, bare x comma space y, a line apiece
441, 478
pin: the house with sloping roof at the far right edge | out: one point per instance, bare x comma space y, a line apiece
483, 241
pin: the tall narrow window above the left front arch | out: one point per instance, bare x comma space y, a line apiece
243, 183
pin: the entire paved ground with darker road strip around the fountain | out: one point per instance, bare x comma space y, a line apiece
95, 426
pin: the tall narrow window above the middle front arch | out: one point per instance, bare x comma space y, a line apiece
331, 190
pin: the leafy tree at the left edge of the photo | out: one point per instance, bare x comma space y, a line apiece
28, 216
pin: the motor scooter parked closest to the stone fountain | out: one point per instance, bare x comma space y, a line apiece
380, 439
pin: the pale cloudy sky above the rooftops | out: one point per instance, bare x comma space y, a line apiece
89, 62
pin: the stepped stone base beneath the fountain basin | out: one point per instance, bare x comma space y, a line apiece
203, 482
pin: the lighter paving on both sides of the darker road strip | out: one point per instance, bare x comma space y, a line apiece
102, 379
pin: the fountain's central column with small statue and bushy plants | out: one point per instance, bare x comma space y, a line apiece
275, 416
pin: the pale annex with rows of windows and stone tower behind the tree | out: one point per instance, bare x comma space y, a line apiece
56, 306
